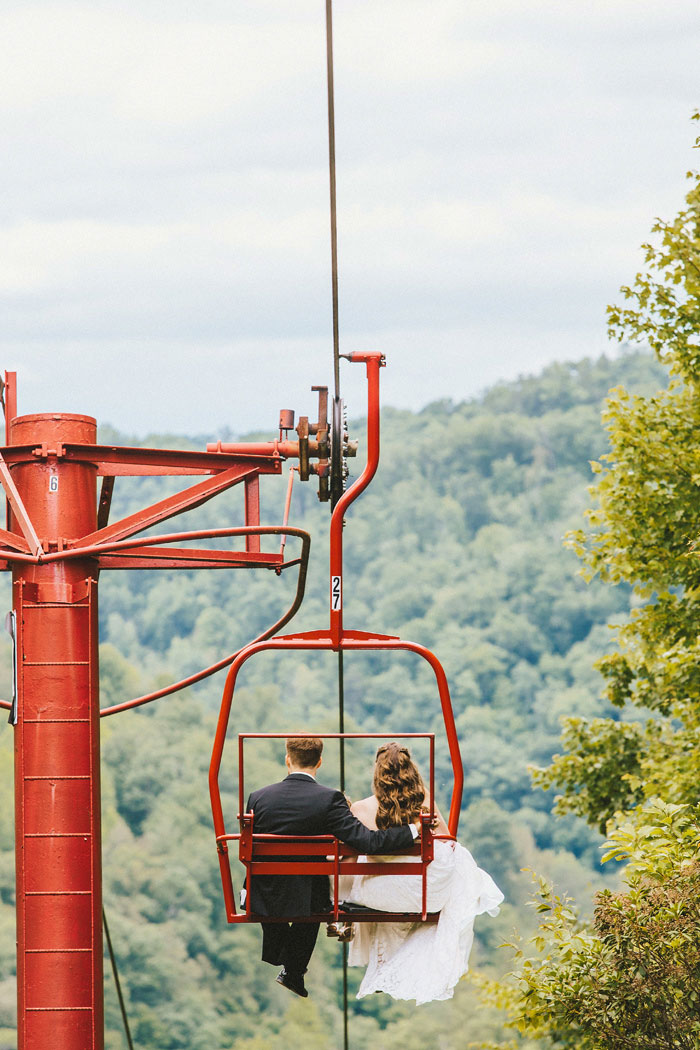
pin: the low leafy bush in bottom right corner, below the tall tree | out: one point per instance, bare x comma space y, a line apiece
631, 978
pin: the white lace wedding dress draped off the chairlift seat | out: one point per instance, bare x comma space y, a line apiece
421, 961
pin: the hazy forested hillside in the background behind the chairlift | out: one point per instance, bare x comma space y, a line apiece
457, 545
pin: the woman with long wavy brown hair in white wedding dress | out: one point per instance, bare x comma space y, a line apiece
418, 961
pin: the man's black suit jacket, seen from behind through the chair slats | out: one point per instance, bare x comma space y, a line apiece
300, 806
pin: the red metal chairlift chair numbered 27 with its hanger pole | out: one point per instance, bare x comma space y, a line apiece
298, 855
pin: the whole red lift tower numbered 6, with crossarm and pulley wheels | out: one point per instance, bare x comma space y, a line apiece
57, 541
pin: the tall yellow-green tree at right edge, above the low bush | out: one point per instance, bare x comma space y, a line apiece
645, 531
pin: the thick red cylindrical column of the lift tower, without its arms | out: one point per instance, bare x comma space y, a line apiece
57, 750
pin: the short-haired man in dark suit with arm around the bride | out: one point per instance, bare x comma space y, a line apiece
301, 806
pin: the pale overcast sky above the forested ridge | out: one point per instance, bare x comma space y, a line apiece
164, 201
